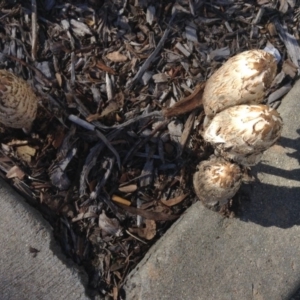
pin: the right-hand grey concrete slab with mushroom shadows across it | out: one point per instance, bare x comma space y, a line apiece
254, 256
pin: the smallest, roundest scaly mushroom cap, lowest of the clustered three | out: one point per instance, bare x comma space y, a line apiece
217, 181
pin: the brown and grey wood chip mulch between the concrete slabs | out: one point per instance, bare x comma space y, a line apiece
107, 162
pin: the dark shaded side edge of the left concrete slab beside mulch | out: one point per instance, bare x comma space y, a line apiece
53, 245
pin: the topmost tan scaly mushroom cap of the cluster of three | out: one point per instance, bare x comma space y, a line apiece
243, 79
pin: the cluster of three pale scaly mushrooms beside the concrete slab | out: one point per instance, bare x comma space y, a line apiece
237, 125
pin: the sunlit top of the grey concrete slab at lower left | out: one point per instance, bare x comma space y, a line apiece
48, 276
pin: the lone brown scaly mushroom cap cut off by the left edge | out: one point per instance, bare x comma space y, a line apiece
18, 102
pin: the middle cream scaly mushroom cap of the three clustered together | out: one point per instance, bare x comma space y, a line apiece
242, 133
